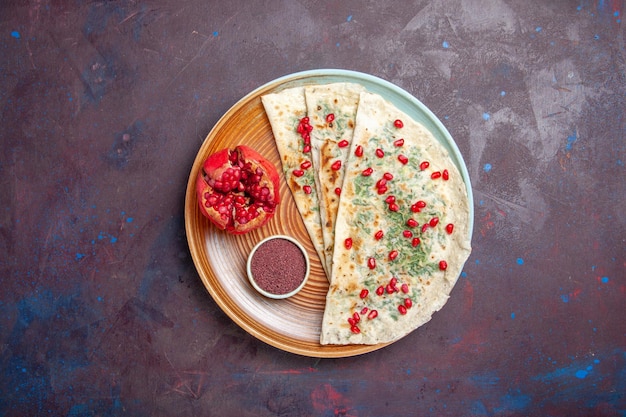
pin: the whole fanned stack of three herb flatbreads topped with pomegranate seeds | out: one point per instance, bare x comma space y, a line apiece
384, 204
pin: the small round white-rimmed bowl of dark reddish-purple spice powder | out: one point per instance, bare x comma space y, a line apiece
278, 267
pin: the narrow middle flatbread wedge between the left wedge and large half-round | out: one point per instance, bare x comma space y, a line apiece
332, 112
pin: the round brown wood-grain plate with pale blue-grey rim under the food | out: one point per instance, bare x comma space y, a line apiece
293, 324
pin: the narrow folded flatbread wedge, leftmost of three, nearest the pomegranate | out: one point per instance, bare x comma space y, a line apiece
284, 110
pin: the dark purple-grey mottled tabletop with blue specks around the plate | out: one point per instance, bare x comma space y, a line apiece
103, 106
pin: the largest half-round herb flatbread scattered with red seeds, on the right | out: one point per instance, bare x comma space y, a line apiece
400, 243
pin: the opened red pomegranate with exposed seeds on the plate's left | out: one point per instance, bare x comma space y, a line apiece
238, 189
